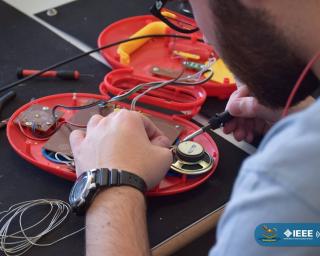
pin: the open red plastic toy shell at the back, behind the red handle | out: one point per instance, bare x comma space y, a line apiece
157, 51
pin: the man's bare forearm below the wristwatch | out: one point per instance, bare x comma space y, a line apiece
116, 223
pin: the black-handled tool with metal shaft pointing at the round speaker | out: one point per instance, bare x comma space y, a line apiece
214, 122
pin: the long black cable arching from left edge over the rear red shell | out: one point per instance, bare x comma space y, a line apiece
66, 61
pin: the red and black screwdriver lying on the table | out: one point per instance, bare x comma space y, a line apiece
63, 74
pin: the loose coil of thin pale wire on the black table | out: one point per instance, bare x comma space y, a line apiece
18, 242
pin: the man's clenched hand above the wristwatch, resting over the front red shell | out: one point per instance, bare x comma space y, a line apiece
124, 140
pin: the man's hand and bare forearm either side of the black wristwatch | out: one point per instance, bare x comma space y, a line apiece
129, 141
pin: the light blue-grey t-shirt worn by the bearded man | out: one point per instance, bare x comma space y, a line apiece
280, 183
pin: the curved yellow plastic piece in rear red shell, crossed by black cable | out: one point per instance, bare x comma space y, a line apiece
126, 49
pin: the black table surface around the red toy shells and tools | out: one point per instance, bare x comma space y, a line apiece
25, 43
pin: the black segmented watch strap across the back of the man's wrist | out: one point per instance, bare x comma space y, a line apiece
114, 177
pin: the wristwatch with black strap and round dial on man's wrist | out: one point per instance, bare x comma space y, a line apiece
91, 182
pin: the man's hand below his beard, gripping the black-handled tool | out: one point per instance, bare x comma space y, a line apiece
252, 118
